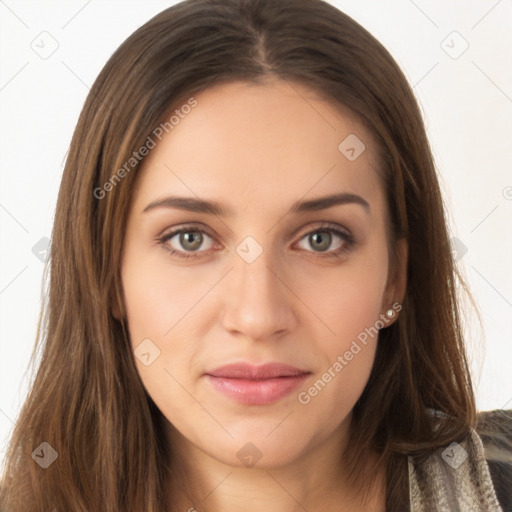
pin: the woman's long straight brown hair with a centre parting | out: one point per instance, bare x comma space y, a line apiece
87, 400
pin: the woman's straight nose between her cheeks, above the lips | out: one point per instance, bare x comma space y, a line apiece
260, 303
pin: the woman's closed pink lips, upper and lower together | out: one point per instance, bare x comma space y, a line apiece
256, 385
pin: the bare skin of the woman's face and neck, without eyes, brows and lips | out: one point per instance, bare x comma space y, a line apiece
257, 150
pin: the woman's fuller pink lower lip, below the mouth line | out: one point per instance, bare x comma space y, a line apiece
257, 392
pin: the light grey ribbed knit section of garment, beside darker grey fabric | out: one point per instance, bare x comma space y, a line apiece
455, 478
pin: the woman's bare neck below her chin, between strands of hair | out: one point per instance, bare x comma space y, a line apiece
316, 481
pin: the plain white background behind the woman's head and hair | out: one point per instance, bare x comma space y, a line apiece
466, 101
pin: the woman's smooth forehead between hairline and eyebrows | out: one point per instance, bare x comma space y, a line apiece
270, 144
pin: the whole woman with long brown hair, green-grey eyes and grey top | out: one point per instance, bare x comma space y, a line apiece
252, 300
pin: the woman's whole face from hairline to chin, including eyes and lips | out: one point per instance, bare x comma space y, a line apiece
265, 281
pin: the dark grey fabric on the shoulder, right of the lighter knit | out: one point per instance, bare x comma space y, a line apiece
495, 431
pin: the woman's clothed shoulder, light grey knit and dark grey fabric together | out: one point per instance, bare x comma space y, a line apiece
472, 474
